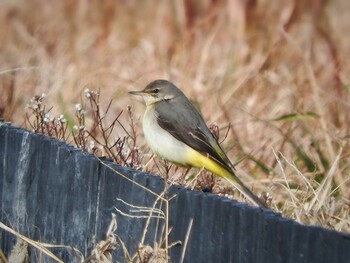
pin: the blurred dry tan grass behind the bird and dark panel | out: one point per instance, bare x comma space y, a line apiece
274, 74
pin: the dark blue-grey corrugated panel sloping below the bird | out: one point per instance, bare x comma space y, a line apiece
55, 193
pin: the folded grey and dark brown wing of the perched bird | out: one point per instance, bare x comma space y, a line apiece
188, 126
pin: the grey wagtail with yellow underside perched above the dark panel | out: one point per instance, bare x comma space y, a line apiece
175, 131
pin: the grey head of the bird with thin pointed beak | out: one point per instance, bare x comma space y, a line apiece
158, 90
